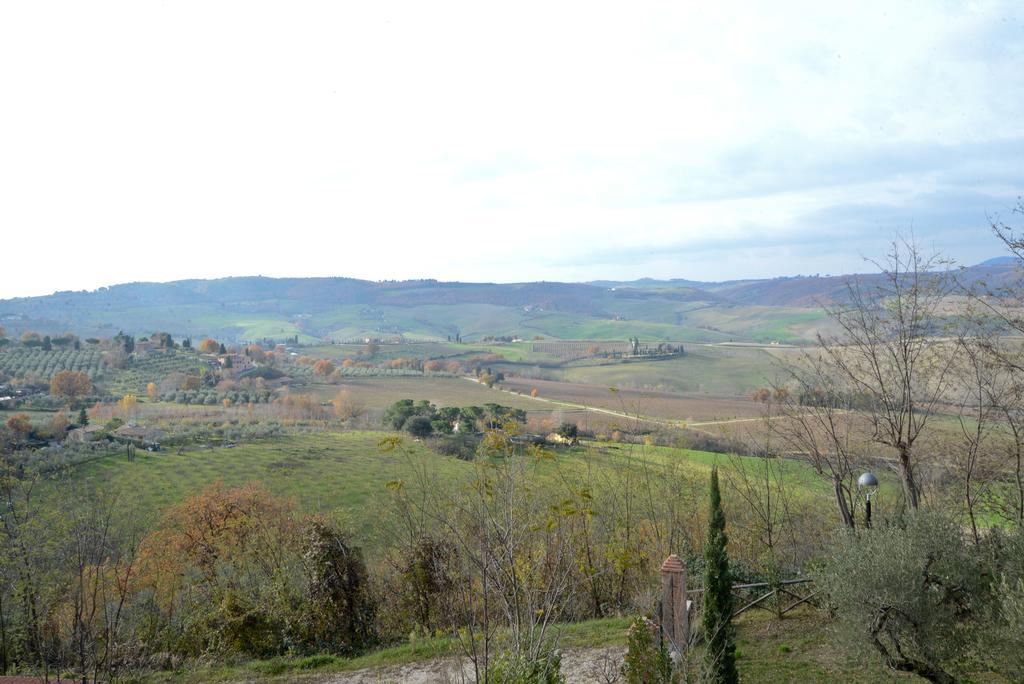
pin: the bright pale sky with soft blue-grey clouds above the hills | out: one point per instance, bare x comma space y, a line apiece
500, 142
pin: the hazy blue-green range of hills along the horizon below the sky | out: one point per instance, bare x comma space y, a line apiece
343, 310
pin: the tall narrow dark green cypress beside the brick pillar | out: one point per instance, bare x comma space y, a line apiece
719, 638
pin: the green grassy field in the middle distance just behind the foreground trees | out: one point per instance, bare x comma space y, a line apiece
329, 472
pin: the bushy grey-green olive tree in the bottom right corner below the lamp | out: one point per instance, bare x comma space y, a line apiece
926, 601
